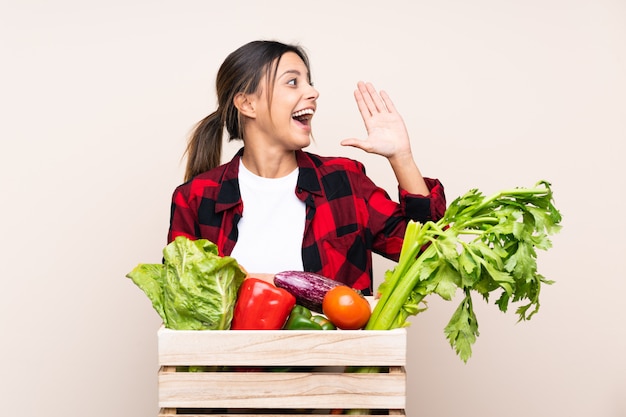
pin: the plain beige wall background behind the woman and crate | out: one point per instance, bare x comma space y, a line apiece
96, 102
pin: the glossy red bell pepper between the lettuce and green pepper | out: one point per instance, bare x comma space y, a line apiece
261, 306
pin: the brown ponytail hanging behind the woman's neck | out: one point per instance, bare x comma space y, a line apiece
204, 150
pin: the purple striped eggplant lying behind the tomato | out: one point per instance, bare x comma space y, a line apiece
309, 288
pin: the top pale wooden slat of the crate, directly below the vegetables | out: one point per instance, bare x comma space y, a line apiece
282, 348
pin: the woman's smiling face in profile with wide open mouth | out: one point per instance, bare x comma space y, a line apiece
287, 123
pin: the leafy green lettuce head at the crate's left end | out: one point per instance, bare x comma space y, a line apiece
194, 288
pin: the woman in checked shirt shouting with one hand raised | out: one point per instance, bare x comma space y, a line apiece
274, 207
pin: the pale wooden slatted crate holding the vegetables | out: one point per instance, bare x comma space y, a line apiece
282, 372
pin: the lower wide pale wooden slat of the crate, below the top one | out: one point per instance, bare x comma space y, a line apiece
284, 389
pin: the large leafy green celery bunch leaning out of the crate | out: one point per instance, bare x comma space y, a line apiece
481, 244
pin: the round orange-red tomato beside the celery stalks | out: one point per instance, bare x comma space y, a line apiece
346, 308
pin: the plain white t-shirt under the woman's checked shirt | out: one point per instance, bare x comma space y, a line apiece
272, 225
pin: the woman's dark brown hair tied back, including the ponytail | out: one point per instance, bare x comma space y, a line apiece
241, 72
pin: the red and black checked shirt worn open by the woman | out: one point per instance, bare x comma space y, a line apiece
347, 216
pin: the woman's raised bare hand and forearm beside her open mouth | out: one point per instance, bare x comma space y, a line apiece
388, 137
